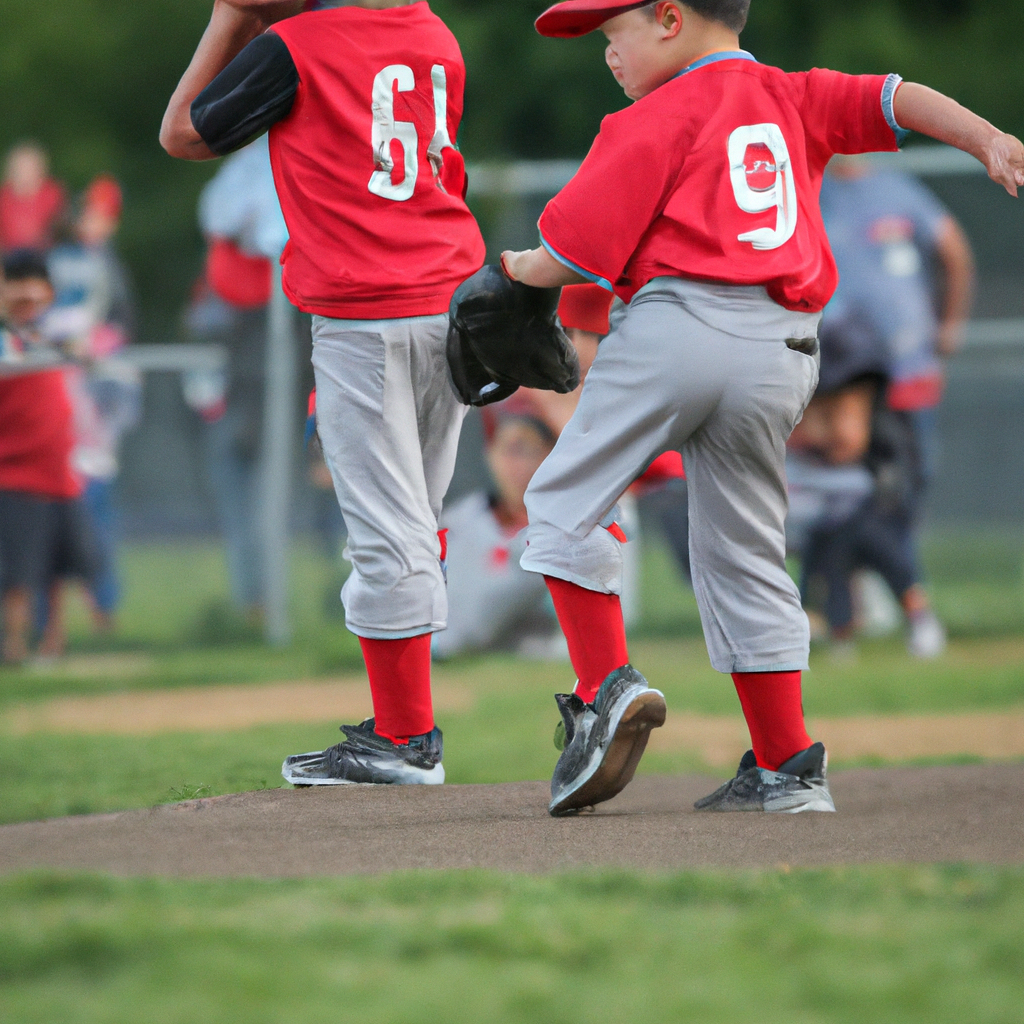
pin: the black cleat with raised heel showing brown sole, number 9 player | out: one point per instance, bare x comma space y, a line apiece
605, 741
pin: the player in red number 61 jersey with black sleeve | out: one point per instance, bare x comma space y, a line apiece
363, 102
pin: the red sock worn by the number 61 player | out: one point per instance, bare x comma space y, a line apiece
400, 682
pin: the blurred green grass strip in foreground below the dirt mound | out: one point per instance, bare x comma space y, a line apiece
907, 945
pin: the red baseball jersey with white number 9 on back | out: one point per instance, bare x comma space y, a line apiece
716, 177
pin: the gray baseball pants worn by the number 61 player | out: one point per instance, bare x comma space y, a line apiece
390, 424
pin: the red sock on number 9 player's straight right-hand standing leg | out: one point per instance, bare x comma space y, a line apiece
775, 712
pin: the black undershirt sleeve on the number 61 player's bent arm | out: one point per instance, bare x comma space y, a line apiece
253, 93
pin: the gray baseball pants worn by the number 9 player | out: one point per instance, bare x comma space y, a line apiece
713, 371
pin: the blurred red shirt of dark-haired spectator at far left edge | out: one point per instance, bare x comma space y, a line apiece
37, 437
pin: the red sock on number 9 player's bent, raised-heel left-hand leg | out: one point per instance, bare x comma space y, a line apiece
594, 630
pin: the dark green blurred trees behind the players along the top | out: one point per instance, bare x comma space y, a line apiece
90, 80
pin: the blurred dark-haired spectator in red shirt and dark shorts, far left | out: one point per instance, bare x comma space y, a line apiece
44, 533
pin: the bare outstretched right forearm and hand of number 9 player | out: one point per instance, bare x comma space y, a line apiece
923, 110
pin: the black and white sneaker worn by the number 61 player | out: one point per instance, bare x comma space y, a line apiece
369, 759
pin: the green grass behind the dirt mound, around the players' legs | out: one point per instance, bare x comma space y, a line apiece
165, 642
